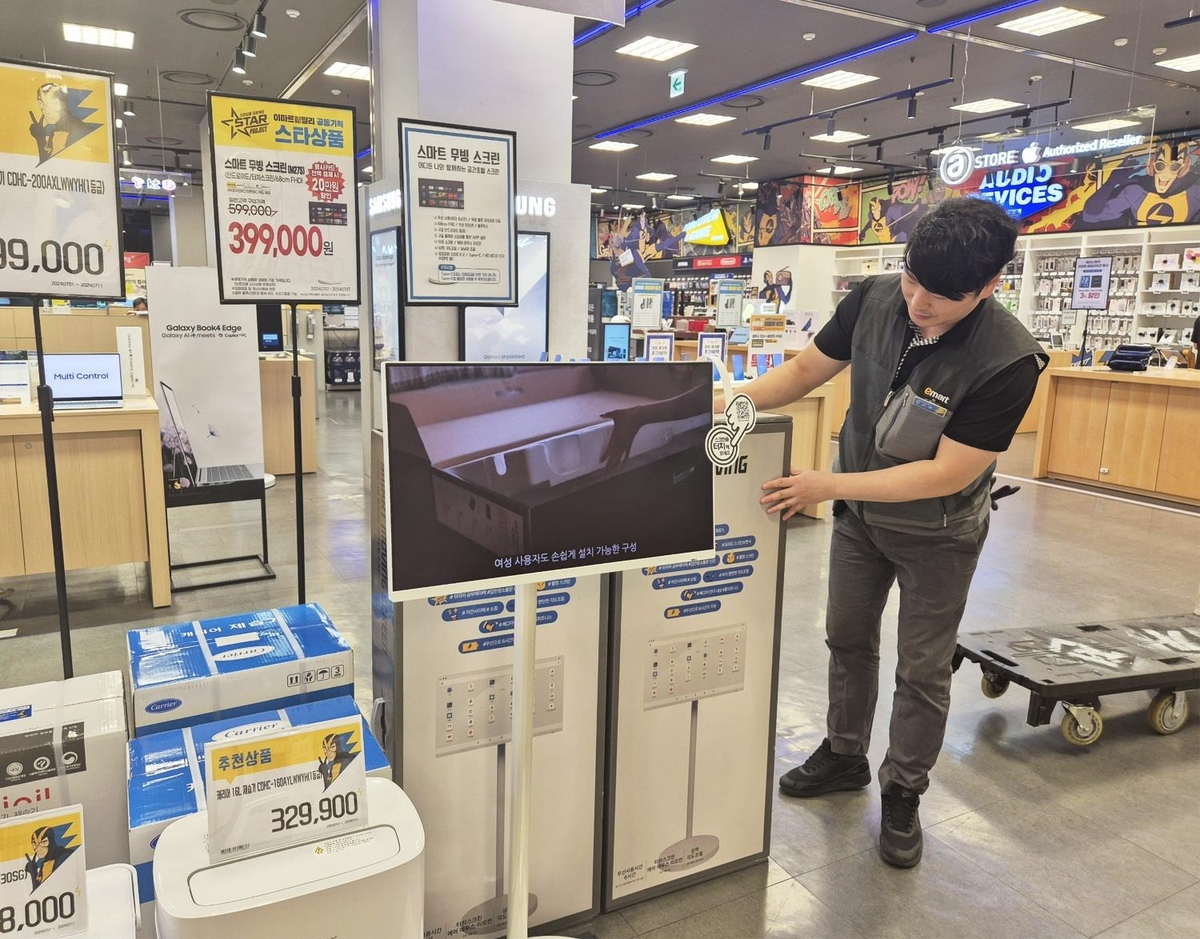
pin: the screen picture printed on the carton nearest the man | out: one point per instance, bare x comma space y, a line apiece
693, 666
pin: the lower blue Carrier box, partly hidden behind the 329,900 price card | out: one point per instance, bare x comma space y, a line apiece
166, 774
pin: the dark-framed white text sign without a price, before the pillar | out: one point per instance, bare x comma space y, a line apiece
460, 223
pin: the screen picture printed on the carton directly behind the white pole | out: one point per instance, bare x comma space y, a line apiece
475, 709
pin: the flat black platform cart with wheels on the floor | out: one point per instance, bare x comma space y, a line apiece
1075, 666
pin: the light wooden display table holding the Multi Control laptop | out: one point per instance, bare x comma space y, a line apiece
110, 465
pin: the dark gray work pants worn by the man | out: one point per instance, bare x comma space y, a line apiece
934, 572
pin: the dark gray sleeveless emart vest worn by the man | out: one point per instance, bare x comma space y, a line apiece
885, 429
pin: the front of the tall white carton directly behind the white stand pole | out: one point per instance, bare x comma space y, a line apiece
453, 756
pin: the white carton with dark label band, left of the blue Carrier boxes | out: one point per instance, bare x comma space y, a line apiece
63, 744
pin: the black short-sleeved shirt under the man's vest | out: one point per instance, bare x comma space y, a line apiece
987, 420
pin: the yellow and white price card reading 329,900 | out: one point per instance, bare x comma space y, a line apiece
277, 790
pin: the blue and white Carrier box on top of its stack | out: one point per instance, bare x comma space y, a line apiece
191, 673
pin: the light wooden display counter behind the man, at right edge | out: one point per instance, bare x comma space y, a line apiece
1135, 432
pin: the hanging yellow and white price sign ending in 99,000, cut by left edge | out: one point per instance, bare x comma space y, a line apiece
61, 231
